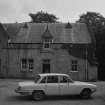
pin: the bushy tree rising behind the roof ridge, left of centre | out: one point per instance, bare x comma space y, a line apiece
41, 17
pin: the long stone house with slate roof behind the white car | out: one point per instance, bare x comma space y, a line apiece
27, 49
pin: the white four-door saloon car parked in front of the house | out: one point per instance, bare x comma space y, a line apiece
55, 84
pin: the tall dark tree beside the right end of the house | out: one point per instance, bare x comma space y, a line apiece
96, 22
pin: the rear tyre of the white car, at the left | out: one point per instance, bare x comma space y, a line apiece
38, 95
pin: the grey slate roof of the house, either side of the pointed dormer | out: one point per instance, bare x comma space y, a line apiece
32, 34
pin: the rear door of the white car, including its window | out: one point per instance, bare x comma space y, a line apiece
52, 85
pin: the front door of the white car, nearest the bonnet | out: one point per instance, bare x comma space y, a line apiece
66, 86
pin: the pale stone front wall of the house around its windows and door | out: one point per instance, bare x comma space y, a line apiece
60, 63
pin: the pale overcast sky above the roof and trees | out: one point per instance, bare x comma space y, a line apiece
66, 10
